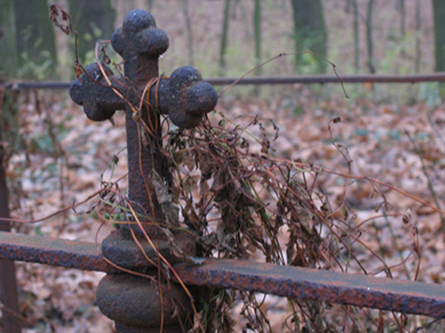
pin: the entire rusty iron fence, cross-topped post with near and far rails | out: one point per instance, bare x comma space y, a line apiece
131, 300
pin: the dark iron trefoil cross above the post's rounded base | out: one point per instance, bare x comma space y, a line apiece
184, 97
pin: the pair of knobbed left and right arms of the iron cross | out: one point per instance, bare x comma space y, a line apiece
185, 97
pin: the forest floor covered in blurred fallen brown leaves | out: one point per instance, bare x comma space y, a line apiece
66, 158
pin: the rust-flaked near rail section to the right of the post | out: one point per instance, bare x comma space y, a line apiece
321, 285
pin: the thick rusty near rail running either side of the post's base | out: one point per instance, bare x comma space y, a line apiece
287, 281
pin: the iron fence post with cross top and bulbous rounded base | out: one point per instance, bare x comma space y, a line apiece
136, 303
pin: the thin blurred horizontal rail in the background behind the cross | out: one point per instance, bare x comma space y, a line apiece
263, 80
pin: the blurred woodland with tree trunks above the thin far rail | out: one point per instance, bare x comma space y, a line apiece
233, 36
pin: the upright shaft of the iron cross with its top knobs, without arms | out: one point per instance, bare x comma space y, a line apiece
140, 44
